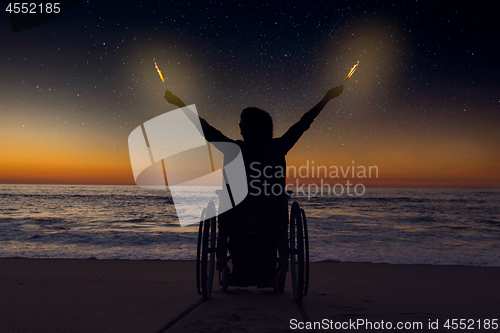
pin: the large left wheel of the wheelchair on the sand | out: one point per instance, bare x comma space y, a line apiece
208, 249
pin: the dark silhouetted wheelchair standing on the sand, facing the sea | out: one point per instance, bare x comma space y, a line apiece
289, 241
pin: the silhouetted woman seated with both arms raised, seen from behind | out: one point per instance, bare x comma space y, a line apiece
265, 166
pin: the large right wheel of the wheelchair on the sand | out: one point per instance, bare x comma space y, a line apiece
299, 253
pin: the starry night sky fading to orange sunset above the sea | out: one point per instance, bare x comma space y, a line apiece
423, 105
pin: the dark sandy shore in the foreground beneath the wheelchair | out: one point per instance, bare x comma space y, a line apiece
38, 295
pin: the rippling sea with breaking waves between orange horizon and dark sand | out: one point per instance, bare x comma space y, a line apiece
385, 225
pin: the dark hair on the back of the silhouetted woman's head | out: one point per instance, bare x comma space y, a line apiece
256, 124
